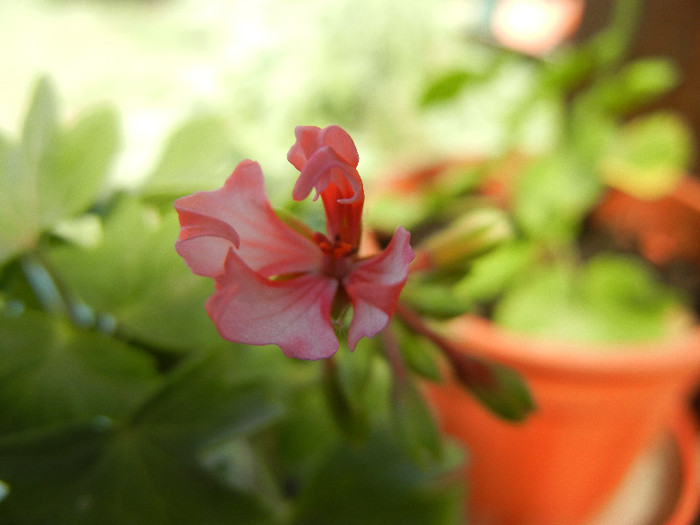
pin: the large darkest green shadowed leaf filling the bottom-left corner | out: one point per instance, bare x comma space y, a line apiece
148, 469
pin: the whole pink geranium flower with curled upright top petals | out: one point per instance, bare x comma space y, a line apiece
284, 285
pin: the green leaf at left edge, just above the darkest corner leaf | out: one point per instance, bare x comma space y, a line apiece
51, 372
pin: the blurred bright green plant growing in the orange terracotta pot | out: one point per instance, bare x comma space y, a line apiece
574, 133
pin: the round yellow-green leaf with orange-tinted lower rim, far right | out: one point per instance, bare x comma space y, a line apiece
649, 156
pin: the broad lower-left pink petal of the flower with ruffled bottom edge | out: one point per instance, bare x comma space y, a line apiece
294, 314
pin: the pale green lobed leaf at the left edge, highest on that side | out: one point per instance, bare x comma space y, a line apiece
54, 173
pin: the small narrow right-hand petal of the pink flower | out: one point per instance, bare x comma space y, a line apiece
374, 286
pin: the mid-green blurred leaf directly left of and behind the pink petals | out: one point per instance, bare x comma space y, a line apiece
154, 298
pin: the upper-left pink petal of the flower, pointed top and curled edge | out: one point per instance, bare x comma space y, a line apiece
239, 214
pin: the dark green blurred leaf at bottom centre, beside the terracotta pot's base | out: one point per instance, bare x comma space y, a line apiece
375, 483
